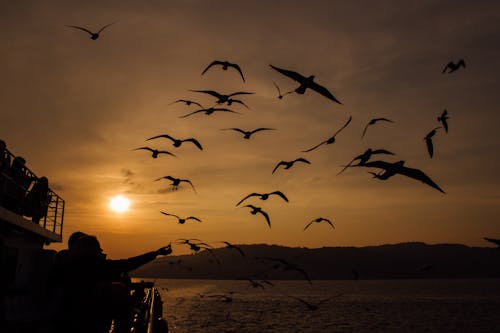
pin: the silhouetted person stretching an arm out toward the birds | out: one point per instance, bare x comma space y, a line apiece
86, 303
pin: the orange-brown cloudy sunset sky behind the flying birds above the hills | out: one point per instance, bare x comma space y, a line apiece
76, 108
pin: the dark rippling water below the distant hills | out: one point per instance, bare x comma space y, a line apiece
366, 306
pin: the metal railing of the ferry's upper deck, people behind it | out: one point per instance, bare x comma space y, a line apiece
18, 187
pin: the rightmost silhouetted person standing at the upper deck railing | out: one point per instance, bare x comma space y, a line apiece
37, 200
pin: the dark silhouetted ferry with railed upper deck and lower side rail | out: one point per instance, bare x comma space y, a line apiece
31, 216
